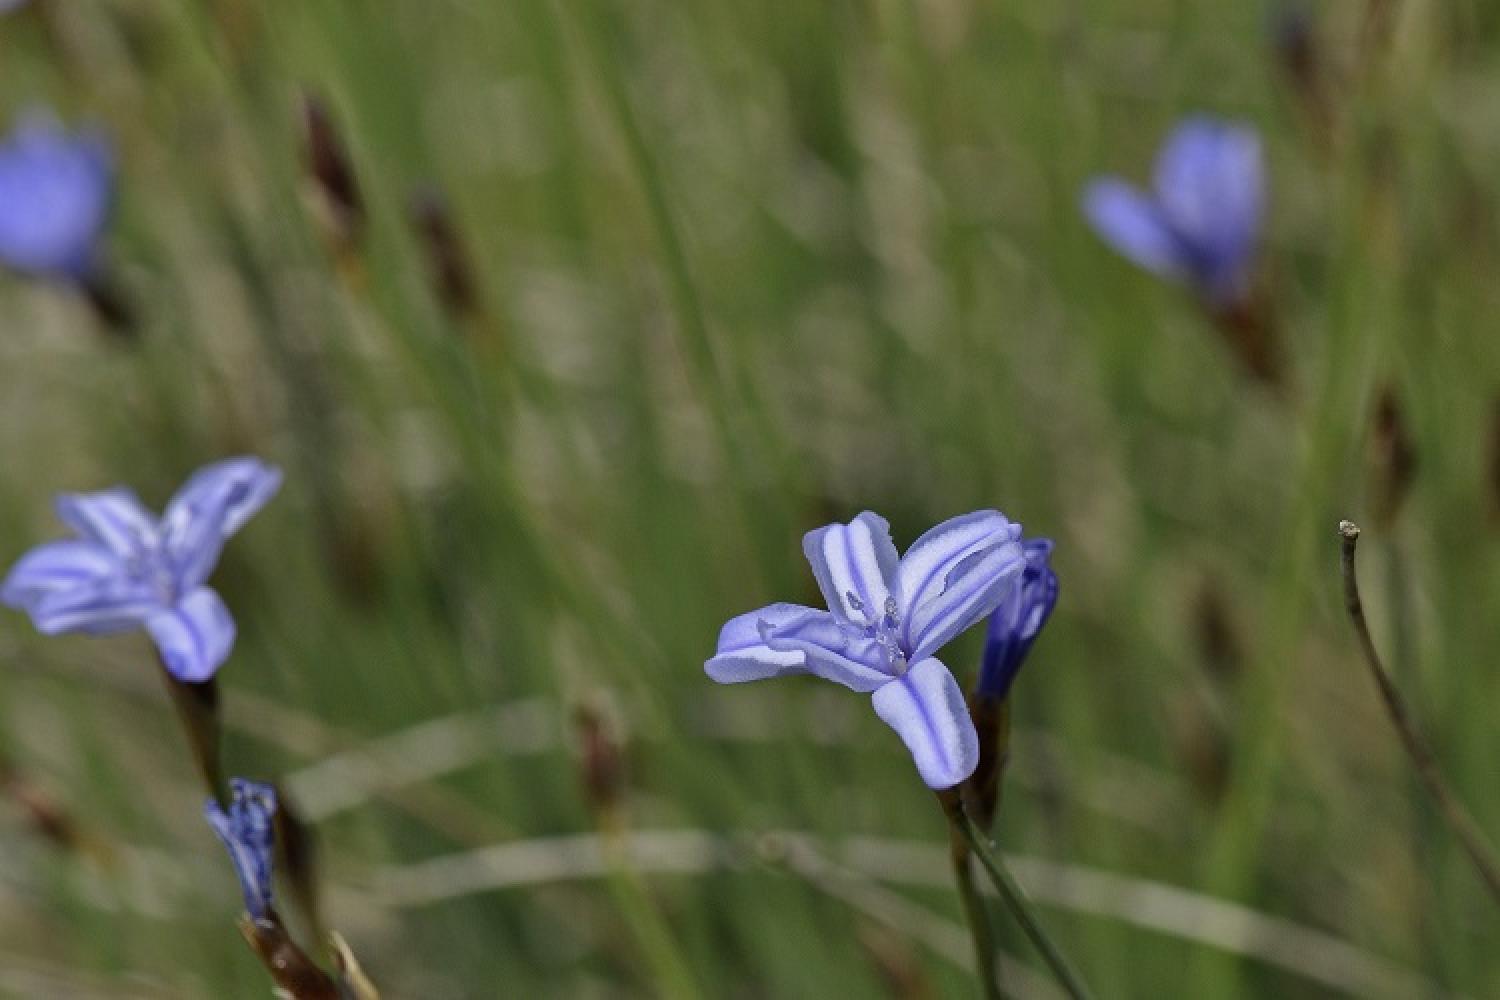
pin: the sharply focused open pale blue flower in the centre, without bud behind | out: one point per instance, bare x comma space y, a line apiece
889, 618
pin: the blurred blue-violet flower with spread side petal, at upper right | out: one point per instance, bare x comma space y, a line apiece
1201, 224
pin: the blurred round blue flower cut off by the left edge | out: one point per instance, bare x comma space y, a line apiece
55, 199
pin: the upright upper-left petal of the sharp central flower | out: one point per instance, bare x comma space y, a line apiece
856, 566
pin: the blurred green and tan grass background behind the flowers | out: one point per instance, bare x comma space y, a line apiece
739, 271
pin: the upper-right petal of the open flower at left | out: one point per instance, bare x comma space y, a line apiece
212, 506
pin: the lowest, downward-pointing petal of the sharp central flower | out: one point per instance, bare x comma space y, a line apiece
928, 711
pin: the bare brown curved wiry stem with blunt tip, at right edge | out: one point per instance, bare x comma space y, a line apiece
1412, 740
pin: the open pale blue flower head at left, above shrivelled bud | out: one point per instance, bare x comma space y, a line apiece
128, 569
